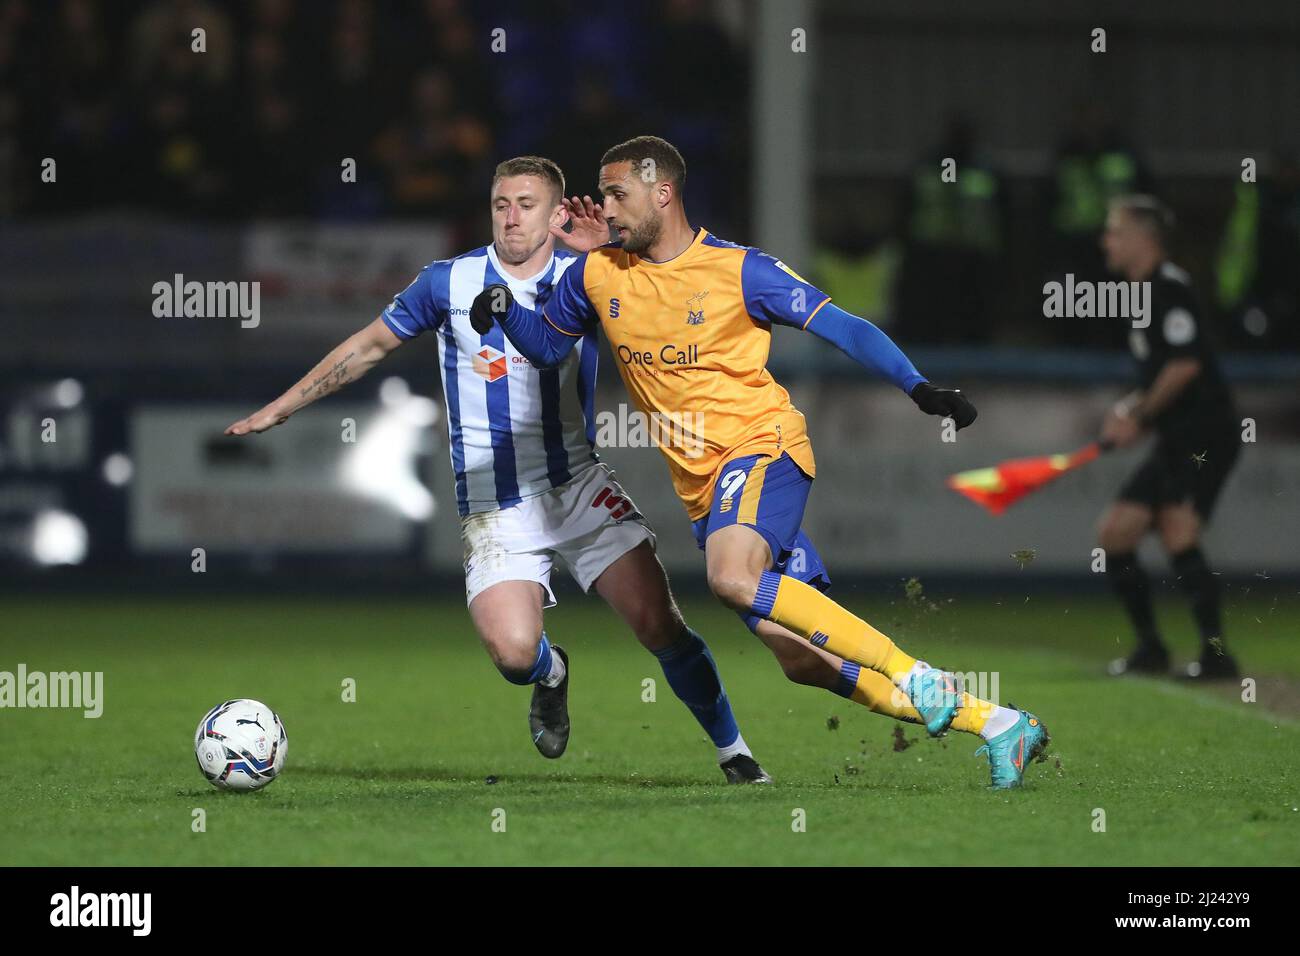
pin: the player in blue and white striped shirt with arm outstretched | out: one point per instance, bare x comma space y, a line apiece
530, 487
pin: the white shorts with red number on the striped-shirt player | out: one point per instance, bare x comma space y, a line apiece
590, 524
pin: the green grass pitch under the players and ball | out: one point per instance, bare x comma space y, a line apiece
1184, 776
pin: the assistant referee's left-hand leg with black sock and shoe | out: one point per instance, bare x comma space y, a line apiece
1120, 531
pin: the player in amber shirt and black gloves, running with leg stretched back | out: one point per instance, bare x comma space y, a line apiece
690, 319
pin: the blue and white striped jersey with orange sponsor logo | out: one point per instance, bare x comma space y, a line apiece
515, 431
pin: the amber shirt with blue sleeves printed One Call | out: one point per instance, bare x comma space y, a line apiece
691, 339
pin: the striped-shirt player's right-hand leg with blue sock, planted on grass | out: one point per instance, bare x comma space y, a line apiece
636, 587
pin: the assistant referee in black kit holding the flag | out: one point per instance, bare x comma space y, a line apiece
1185, 403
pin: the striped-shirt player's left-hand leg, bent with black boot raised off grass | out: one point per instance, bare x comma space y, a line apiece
509, 620
